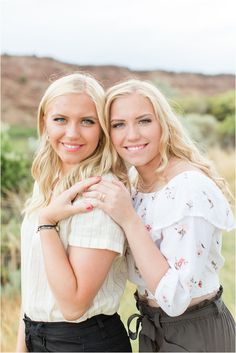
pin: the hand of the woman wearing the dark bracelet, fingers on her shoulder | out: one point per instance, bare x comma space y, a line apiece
62, 206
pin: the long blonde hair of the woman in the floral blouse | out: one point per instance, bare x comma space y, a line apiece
174, 139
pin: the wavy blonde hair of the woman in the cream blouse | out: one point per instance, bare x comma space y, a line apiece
47, 164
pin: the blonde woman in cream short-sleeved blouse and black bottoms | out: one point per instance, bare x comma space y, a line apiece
73, 265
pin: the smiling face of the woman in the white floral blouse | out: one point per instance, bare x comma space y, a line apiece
135, 130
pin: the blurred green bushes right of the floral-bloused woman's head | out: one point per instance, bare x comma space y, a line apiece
210, 120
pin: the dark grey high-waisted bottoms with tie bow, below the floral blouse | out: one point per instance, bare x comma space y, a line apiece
205, 327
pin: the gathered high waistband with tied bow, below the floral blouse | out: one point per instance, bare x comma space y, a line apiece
156, 317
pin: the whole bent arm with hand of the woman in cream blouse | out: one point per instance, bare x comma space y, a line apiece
76, 277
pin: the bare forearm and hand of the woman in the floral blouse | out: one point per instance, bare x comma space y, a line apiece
117, 204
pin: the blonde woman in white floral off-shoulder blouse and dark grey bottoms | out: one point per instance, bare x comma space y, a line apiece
173, 224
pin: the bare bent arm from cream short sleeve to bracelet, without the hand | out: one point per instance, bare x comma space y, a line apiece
76, 280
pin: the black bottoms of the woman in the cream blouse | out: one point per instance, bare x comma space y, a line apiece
101, 333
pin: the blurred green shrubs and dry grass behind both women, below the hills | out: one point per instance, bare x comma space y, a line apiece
210, 122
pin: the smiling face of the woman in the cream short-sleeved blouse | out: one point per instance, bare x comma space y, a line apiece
73, 128
